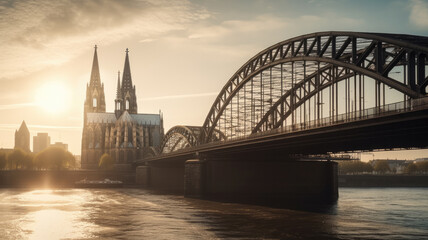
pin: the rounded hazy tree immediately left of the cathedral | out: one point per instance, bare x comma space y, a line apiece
54, 158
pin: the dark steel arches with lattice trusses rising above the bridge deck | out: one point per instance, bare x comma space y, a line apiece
314, 78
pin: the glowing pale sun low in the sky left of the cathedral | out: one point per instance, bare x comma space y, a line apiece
53, 97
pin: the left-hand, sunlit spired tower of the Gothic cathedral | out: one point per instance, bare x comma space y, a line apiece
95, 99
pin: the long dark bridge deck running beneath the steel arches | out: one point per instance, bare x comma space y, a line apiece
399, 130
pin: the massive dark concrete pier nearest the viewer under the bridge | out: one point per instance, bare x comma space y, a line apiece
273, 183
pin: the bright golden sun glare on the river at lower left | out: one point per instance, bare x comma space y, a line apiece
48, 214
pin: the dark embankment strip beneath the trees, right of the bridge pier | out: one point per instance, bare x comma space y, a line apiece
370, 180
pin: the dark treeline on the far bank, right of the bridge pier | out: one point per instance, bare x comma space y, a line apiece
380, 167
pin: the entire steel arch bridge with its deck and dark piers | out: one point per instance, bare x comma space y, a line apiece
313, 94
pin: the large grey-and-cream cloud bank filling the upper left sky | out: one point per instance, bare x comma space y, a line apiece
36, 34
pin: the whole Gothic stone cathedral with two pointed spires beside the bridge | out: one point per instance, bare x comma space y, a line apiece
125, 135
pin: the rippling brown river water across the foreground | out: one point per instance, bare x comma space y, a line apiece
361, 213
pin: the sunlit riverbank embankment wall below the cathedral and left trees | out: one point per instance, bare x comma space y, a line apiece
59, 178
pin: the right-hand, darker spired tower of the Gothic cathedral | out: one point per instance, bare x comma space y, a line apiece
126, 98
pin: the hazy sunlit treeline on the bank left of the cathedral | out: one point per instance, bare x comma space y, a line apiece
52, 158
